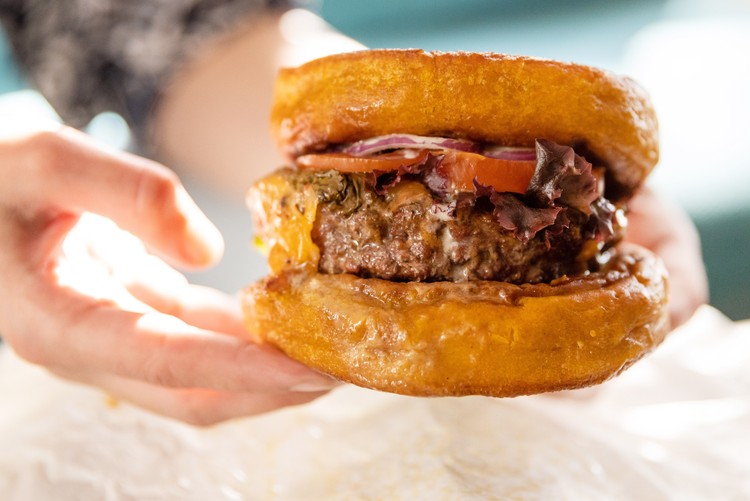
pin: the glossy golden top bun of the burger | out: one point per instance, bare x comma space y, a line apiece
496, 98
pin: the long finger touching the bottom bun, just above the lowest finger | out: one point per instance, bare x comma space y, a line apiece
97, 336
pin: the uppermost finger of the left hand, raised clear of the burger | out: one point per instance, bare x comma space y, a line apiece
67, 171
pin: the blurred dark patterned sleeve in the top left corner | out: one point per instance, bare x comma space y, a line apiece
90, 56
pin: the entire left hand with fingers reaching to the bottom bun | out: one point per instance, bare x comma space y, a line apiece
85, 299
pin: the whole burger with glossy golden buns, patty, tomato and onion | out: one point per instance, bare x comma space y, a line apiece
453, 223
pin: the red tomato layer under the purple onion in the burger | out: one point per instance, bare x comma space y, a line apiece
460, 168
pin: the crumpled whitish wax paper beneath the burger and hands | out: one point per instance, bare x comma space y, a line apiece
675, 426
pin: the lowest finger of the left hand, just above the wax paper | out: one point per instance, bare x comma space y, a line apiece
194, 406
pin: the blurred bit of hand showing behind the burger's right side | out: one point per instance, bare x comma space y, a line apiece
667, 231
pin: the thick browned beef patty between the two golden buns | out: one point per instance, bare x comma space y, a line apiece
406, 234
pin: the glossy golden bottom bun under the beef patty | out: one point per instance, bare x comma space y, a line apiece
472, 338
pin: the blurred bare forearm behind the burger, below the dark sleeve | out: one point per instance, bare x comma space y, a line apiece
212, 121
